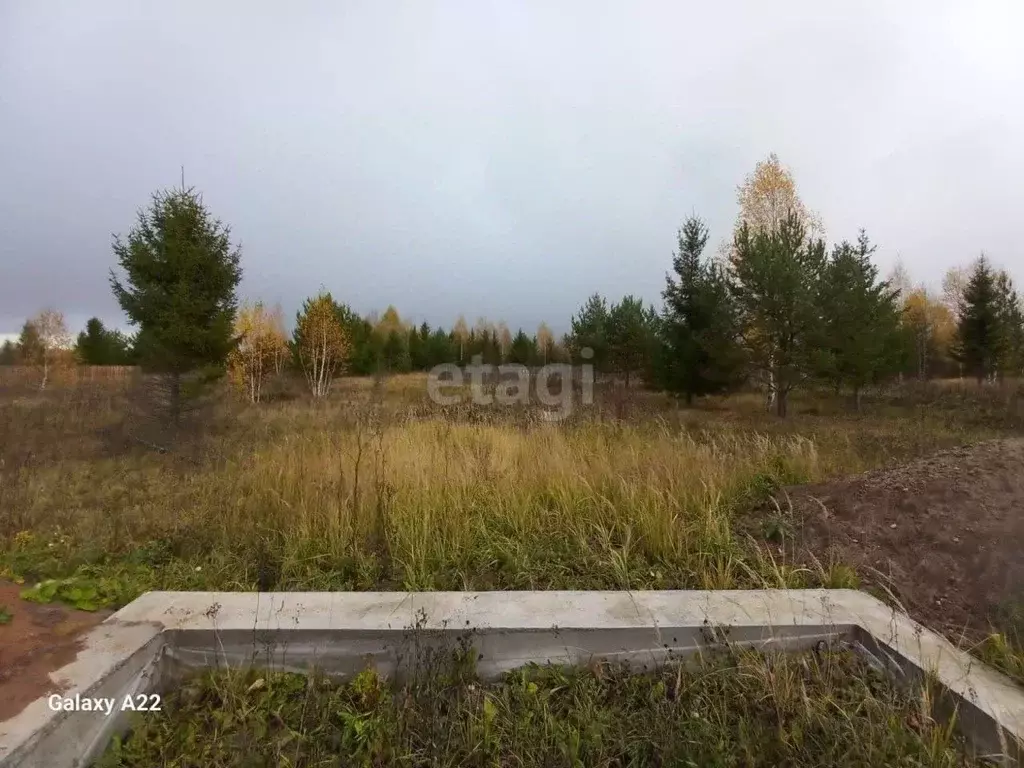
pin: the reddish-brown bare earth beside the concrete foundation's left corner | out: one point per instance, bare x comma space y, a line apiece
38, 641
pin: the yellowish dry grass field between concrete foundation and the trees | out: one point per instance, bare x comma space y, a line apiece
379, 489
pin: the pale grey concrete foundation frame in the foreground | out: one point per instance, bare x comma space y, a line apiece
161, 636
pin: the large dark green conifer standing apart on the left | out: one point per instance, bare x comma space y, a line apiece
181, 277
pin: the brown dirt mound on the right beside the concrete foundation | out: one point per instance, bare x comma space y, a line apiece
946, 534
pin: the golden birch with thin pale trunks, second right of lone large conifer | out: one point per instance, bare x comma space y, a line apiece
321, 344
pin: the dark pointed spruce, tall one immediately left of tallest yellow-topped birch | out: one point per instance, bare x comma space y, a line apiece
699, 352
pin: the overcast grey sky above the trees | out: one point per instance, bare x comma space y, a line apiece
496, 158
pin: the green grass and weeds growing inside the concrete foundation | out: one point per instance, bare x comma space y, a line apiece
727, 710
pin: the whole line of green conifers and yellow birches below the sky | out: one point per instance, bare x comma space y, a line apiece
775, 308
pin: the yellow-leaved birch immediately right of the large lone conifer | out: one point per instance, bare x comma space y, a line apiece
261, 351
